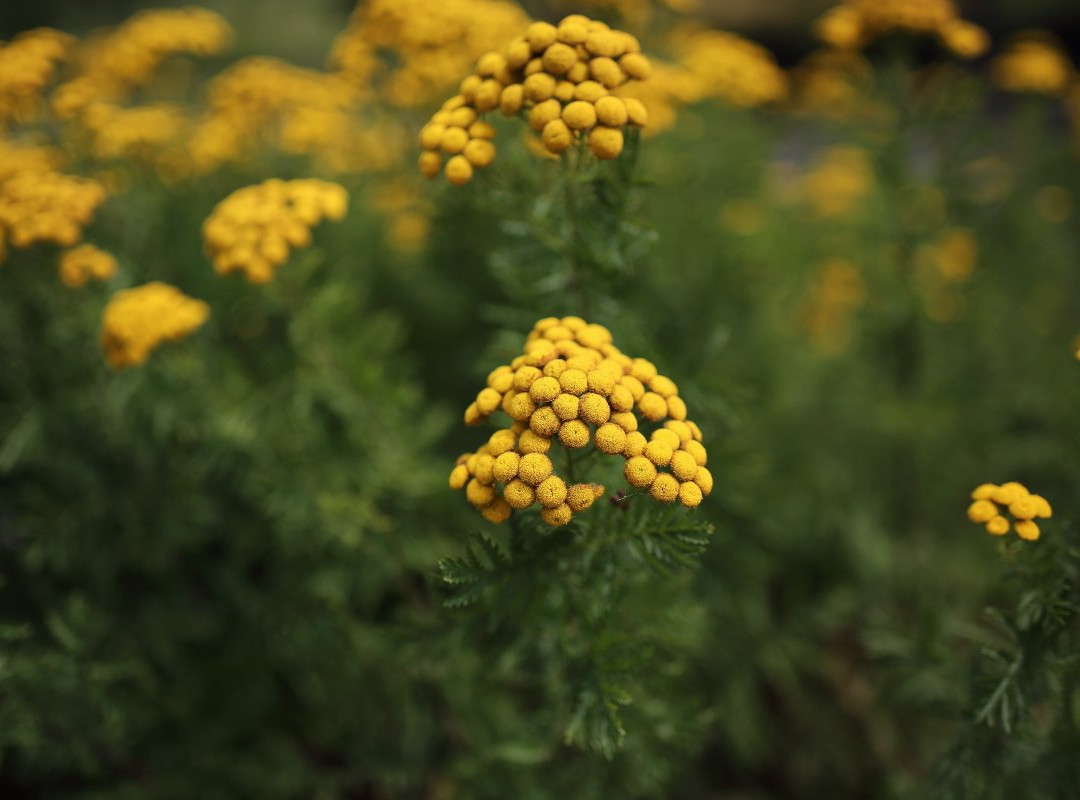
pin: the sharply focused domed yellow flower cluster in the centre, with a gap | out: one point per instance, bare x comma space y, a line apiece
574, 386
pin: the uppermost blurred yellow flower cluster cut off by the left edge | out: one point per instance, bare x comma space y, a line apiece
28, 65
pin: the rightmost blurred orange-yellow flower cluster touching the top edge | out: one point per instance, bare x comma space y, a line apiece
855, 24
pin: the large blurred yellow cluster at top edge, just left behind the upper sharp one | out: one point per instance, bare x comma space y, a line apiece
430, 43
